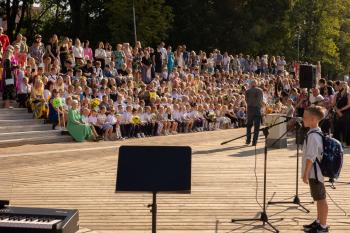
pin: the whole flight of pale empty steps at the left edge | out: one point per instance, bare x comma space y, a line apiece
17, 127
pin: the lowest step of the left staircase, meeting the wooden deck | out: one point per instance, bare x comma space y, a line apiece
35, 140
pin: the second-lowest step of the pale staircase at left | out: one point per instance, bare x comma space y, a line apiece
29, 134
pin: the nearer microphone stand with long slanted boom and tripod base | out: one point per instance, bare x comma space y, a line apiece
263, 215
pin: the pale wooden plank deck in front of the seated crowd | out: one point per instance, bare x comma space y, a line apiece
82, 176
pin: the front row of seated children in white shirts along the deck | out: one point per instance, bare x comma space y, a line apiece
150, 121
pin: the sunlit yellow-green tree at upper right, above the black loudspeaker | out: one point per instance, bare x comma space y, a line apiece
320, 23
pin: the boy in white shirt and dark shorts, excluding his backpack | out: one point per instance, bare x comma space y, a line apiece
313, 151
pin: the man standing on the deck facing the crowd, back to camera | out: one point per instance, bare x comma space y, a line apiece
254, 99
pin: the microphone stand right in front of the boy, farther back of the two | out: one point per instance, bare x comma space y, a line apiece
296, 200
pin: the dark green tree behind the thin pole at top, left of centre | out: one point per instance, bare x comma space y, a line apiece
153, 20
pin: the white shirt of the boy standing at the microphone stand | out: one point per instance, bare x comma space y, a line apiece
312, 149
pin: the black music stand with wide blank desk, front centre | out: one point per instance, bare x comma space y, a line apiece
154, 169
